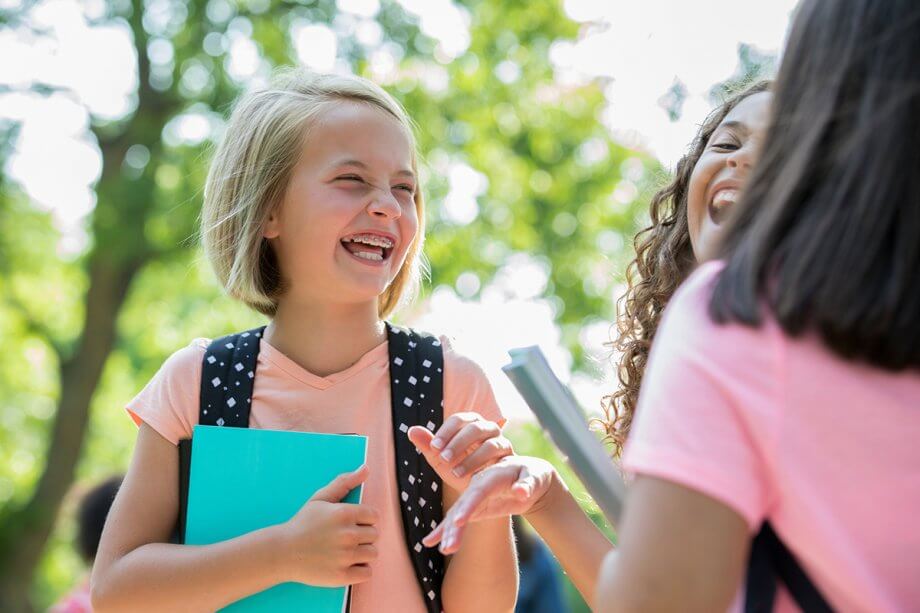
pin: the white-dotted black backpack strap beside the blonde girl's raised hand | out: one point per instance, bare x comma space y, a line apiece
417, 397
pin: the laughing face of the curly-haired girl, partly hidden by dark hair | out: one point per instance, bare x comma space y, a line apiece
723, 169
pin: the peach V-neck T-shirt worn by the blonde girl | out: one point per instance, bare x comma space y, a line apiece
287, 397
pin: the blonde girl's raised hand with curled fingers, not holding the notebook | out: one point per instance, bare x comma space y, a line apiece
464, 444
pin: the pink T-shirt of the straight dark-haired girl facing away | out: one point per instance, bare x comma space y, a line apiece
781, 429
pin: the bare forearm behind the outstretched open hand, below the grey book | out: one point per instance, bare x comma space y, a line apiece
579, 545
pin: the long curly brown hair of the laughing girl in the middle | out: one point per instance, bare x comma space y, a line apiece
664, 258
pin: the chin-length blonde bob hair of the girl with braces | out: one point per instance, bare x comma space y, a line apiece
250, 173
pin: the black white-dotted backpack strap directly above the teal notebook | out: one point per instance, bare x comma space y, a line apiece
227, 376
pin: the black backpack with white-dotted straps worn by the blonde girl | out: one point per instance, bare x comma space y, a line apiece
417, 392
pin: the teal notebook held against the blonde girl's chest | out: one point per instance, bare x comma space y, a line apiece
243, 479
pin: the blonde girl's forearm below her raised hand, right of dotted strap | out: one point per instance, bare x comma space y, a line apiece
483, 575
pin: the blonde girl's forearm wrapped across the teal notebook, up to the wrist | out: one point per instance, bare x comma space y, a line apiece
166, 577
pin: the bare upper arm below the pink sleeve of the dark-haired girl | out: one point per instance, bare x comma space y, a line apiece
679, 550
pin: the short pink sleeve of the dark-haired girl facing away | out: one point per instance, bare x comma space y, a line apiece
708, 411
